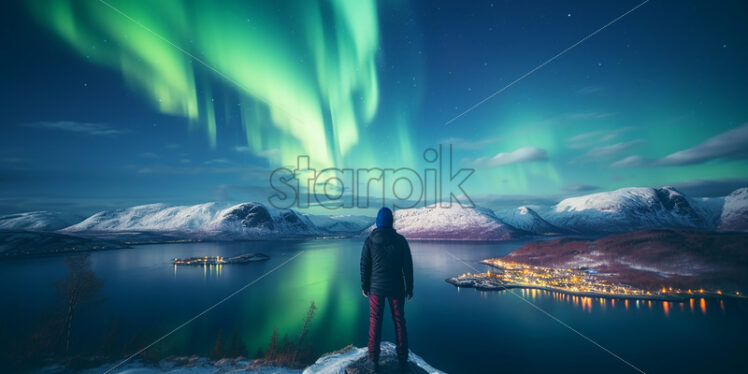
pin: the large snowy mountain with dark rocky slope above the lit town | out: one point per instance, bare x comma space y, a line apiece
628, 209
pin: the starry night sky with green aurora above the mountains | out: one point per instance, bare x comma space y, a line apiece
109, 104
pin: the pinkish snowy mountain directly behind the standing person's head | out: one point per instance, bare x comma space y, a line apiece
453, 223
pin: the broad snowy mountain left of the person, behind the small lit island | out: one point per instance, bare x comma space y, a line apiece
246, 220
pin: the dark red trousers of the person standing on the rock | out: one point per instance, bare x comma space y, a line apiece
376, 312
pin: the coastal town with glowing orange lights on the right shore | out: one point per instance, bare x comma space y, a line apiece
583, 282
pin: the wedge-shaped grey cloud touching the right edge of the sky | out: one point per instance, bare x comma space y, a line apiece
731, 144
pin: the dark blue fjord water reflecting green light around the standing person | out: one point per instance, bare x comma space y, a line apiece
455, 330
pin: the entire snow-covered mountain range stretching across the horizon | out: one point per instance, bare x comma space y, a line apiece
623, 210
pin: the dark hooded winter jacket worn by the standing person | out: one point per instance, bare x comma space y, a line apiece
386, 264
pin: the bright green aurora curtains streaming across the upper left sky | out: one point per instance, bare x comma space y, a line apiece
310, 66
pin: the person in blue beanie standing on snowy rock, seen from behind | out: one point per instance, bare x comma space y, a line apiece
386, 273
